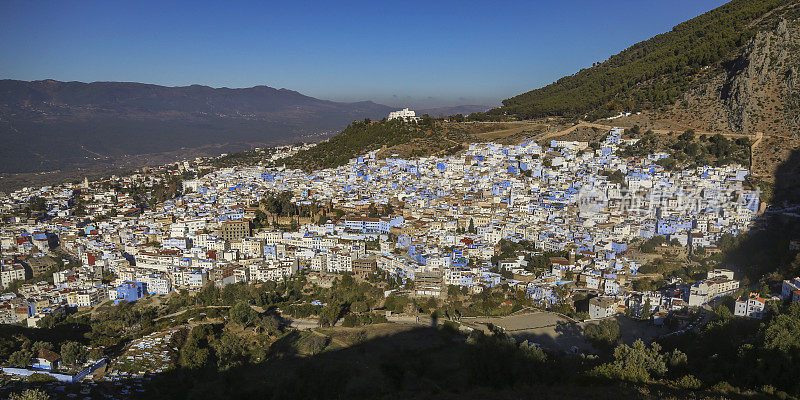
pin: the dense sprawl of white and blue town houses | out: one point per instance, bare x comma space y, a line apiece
437, 221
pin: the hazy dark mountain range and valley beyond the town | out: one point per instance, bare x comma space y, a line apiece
49, 125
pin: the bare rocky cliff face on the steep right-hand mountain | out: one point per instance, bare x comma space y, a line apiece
757, 91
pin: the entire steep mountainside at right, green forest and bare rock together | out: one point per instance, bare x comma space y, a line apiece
733, 70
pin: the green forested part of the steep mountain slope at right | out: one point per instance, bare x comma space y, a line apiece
649, 74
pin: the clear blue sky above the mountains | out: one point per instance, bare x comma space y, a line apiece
418, 53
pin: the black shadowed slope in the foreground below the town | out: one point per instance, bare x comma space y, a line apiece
414, 363
